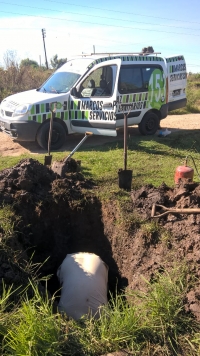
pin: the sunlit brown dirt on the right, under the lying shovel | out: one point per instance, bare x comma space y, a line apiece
175, 237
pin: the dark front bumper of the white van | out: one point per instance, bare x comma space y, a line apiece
20, 130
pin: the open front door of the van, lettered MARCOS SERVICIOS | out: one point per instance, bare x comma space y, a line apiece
93, 109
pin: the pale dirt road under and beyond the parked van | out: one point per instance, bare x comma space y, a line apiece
8, 147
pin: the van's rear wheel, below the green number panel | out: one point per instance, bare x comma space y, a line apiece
149, 124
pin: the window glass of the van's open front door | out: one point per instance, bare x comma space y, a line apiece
98, 83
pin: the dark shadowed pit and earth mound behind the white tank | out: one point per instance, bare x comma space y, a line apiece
54, 218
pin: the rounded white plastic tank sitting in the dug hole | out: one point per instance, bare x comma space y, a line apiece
84, 280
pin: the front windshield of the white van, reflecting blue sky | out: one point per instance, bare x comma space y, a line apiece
60, 82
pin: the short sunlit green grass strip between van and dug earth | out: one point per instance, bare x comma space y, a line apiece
152, 159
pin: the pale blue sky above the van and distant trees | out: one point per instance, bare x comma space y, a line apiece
171, 27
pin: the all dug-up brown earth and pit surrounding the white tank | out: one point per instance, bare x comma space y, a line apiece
54, 216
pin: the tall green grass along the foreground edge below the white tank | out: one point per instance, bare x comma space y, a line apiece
137, 322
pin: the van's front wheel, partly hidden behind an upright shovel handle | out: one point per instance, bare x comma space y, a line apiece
58, 138
